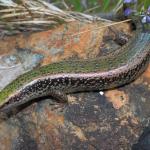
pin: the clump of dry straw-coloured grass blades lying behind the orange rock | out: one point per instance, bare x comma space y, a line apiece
25, 15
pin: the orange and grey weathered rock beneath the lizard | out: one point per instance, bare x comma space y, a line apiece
112, 120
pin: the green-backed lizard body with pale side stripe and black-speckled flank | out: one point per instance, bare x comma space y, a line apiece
58, 79
